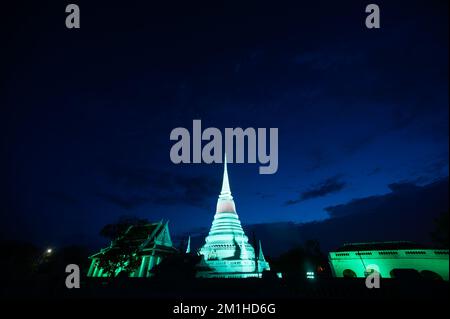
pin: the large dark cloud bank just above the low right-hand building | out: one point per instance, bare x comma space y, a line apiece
406, 213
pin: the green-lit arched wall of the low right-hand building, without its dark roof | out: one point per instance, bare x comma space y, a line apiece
359, 262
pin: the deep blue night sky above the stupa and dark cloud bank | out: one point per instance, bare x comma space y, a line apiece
86, 114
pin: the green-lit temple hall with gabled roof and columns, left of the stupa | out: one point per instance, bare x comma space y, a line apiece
150, 244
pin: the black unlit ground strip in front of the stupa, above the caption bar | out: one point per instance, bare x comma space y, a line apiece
326, 288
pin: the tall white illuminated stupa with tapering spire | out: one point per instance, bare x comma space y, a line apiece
227, 252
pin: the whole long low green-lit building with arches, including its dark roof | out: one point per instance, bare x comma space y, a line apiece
390, 260
